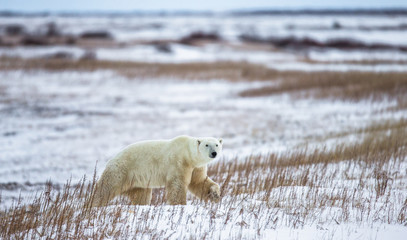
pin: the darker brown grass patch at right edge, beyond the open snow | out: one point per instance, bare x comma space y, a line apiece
343, 85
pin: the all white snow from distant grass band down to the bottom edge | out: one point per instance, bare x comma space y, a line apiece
58, 125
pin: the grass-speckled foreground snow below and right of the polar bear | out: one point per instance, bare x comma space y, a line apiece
340, 202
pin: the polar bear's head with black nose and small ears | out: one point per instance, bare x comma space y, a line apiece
208, 149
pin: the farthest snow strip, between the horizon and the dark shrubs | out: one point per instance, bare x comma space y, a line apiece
366, 28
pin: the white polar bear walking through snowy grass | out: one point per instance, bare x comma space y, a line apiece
177, 164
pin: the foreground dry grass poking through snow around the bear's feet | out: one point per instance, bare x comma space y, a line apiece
342, 185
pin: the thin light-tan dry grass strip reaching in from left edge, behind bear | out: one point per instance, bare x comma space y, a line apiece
234, 71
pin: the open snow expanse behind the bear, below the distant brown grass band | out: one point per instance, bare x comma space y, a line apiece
58, 125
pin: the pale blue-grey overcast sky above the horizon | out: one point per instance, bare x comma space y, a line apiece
168, 5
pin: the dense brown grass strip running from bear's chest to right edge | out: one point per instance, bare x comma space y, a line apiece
382, 142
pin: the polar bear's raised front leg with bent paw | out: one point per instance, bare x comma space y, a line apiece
204, 187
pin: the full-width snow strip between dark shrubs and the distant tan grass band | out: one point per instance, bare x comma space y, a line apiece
284, 61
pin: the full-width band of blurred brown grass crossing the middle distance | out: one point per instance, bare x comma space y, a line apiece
335, 85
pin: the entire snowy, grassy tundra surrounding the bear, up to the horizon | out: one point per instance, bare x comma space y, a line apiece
320, 153
